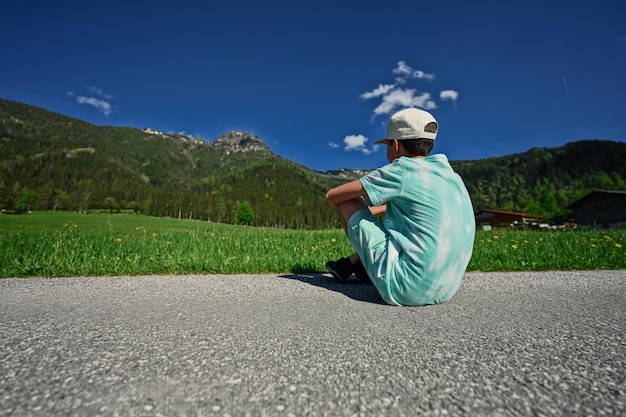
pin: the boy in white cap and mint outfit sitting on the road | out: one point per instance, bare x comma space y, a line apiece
419, 253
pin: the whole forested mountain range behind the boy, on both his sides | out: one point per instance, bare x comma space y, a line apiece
52, 162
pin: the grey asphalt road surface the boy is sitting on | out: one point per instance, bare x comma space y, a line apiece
508, 344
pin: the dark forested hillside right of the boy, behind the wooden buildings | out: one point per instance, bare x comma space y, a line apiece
544, 181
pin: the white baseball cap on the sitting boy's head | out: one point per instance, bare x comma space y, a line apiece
411, 123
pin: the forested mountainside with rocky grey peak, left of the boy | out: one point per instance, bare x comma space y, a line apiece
51, 162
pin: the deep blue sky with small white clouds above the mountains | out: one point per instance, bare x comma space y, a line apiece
317, 81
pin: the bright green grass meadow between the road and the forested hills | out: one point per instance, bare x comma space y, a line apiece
61, 244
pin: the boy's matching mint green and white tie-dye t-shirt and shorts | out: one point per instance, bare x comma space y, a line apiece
428, 227
